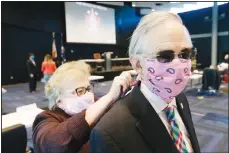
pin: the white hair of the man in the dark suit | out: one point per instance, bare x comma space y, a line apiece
146, 24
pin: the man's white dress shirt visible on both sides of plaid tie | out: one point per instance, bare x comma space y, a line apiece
159, 105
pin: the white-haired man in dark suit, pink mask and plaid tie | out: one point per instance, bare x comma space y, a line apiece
155, 116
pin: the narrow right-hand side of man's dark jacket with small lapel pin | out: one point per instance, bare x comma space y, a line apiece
184, 111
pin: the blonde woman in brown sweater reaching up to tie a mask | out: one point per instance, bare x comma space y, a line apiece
73, 113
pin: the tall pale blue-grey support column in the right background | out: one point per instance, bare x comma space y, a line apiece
214, 34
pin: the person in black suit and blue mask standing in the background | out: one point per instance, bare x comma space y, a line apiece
33, 72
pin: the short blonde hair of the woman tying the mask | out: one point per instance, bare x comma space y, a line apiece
65, 78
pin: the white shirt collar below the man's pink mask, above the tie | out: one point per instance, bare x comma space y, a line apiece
156, 102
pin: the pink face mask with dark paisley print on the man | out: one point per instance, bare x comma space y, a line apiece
167, 80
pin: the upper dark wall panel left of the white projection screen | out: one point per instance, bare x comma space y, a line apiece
46, 16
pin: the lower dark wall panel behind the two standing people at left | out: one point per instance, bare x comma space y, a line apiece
16, 45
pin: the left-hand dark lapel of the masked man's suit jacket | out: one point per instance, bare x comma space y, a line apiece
150, 125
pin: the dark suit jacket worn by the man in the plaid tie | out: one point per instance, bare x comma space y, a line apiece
133, 126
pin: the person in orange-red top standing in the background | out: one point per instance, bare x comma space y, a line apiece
48, 68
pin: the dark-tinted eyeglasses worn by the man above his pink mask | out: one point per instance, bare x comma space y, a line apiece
167, 56
